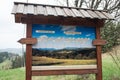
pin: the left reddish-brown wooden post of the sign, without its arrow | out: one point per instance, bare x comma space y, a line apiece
29, 54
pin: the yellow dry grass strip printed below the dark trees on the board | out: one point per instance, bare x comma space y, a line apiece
46, 60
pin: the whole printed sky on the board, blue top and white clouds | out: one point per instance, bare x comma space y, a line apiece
60, 36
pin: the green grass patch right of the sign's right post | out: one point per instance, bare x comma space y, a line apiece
110, 70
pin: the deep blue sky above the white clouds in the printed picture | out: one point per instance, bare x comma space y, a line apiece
86, 32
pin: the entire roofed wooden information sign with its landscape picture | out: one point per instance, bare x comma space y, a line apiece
61, 40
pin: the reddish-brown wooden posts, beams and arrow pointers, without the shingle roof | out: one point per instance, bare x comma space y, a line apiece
29, 41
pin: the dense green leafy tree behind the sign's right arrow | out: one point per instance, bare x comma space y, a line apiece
110, 33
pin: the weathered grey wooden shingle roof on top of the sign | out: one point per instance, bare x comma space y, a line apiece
50, 10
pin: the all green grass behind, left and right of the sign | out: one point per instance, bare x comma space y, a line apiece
110, 72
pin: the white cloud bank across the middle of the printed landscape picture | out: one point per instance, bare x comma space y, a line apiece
61, 42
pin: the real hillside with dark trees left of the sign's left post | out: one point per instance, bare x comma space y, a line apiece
11, 60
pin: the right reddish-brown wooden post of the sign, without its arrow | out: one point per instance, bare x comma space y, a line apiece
99, 58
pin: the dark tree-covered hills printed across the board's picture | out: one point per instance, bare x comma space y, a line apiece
66, 53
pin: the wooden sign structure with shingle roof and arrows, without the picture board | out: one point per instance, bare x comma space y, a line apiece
29, 14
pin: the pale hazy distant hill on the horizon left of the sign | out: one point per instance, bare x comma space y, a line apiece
13, 50
